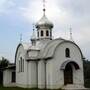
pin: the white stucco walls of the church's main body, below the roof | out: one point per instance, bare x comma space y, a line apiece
49, 74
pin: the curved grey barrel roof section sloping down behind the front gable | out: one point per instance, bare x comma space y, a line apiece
48, 50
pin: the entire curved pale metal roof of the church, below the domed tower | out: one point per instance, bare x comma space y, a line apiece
43, 49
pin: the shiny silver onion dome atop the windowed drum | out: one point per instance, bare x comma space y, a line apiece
44, 22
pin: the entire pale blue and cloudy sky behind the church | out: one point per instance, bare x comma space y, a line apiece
17, 17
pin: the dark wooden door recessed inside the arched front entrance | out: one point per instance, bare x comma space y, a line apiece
68, 74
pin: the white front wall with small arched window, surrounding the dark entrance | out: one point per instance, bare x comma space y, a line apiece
55, 76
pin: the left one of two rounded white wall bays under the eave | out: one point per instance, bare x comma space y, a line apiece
32, 74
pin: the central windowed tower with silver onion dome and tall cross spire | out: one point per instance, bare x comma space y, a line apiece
44, 26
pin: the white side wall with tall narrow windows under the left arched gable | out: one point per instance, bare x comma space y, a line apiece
21, 79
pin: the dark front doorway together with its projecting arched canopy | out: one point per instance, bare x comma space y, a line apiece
68, 71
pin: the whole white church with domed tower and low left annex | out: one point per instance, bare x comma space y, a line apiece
46, 62
